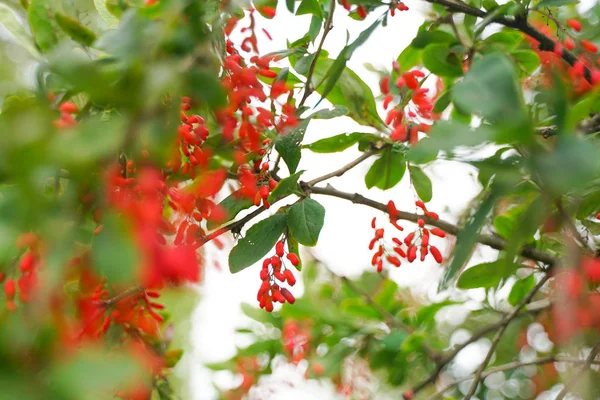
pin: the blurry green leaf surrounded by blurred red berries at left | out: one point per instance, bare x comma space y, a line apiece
114, 251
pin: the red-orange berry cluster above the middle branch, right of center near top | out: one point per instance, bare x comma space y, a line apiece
413, 107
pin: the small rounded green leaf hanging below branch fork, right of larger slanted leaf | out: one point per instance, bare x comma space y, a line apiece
305, 220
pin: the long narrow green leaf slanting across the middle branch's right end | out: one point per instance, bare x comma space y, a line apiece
467, 236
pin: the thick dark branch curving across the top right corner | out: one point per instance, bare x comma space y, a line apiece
545, 43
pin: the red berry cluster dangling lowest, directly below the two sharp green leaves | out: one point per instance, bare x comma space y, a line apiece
273, 270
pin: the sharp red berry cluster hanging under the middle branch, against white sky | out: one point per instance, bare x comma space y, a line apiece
416, 241
